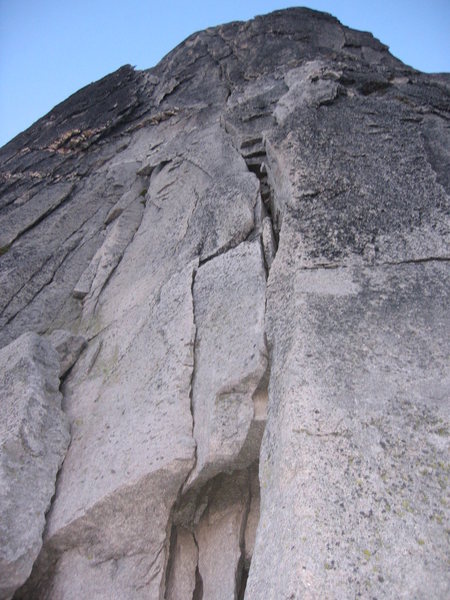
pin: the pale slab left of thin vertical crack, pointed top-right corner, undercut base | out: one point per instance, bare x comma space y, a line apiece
131, 434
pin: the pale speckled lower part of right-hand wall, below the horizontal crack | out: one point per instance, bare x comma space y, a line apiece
353, 459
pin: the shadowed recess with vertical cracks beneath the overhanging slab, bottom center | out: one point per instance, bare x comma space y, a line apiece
230, 500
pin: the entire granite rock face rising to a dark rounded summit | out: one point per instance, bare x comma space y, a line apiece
241, 259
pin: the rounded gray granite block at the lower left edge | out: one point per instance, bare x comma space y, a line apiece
33, 440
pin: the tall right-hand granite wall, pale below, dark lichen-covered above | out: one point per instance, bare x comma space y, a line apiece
356, 440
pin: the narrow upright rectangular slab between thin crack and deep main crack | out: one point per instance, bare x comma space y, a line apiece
231, 360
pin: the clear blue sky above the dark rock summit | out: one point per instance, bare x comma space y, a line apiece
51, 48
